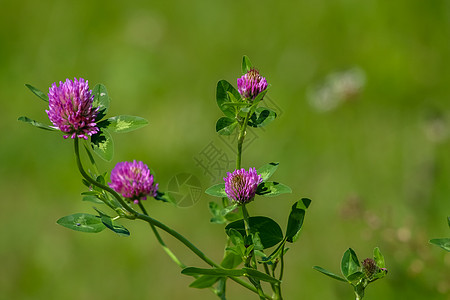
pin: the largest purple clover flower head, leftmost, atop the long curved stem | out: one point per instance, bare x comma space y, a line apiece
70, 108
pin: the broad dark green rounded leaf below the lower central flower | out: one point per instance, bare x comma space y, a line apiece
269, 231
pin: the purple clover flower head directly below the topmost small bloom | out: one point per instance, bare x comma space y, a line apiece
241, 185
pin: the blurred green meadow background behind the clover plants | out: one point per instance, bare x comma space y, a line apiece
377, 168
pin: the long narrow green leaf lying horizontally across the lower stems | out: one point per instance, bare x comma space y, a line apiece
230, 273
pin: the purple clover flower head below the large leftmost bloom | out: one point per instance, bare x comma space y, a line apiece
133, 181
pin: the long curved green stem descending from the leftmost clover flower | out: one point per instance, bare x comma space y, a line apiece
156, 223
